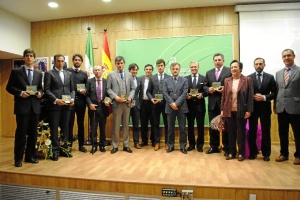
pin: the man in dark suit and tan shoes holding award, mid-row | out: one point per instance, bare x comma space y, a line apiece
155, 88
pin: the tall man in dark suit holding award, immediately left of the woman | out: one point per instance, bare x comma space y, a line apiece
218, 74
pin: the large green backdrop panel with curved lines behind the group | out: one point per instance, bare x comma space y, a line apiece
177, 49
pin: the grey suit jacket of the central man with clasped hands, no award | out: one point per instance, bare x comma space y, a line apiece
175, 93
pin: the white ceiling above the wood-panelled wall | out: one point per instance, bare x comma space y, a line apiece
38, 10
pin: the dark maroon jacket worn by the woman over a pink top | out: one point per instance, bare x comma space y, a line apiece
244, 96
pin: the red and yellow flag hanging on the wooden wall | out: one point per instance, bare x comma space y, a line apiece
106, 60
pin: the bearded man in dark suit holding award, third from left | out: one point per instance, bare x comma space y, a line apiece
79, 77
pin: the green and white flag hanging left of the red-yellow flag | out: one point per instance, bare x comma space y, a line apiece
89, 55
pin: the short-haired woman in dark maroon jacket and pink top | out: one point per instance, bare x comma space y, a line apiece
236, 107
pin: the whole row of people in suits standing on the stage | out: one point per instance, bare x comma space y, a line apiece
231, 95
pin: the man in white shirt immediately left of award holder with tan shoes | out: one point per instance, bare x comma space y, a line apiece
146, 105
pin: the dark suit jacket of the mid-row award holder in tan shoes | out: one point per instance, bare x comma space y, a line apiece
154, 86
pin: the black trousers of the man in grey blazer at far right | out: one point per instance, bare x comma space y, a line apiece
284, 120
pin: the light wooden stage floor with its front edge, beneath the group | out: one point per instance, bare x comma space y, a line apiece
146, 171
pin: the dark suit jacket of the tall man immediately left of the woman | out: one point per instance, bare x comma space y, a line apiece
215, 98
